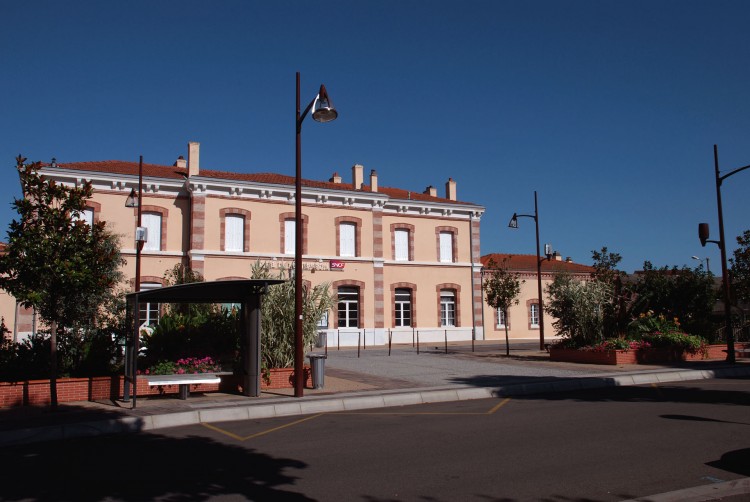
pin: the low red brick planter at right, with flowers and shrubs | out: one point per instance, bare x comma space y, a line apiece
641, 356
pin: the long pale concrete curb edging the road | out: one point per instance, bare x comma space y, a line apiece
285, 407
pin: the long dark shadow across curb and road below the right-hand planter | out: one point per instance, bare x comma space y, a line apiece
601, 388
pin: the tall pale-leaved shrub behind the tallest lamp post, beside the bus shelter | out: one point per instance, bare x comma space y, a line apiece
277, 316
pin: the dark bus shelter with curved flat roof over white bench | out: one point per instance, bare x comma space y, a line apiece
246, 292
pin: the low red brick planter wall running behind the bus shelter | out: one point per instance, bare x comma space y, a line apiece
36, 392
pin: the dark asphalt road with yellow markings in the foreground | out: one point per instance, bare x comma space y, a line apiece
600, 445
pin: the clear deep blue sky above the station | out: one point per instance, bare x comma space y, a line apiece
608, 109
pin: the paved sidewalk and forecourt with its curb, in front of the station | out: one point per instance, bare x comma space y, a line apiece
368, 378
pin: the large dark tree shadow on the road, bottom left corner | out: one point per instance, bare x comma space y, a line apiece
138, 467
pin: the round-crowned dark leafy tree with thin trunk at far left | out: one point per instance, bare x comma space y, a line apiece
55, 262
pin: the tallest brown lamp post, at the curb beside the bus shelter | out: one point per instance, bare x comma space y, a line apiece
322, 111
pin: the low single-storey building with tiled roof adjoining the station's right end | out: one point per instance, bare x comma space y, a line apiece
523, 319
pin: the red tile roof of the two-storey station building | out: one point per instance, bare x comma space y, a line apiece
172, 172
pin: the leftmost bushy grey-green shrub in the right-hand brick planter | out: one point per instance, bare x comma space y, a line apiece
579, 309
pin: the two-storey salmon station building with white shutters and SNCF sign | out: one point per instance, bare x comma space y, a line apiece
397, 260
